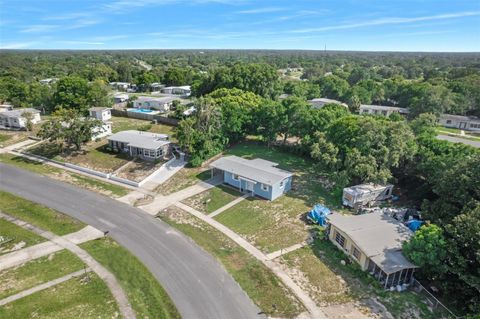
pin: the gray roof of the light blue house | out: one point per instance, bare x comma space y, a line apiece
259, 170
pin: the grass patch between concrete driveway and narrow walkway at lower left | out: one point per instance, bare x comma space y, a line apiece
38, 271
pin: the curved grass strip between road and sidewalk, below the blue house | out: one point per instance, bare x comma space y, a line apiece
261, 285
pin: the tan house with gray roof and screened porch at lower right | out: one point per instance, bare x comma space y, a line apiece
374, 241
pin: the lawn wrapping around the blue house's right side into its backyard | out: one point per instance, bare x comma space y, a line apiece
272, 225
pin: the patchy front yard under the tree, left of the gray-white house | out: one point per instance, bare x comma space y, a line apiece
93, 155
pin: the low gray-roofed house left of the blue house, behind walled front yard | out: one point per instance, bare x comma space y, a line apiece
145, 145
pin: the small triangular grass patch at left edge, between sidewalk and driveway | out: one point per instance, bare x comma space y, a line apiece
17, 236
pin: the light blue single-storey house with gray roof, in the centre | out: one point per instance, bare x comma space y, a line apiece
260, 177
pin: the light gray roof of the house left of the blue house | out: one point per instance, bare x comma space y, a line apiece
141, 139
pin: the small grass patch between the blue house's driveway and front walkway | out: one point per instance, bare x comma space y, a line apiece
212, 199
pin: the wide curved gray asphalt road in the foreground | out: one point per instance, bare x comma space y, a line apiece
198, 285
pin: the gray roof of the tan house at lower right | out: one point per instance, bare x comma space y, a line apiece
378, 236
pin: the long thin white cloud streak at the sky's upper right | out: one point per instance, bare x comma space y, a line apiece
387, 21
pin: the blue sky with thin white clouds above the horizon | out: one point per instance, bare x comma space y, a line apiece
372, 25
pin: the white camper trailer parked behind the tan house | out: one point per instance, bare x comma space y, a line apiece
366, 194
